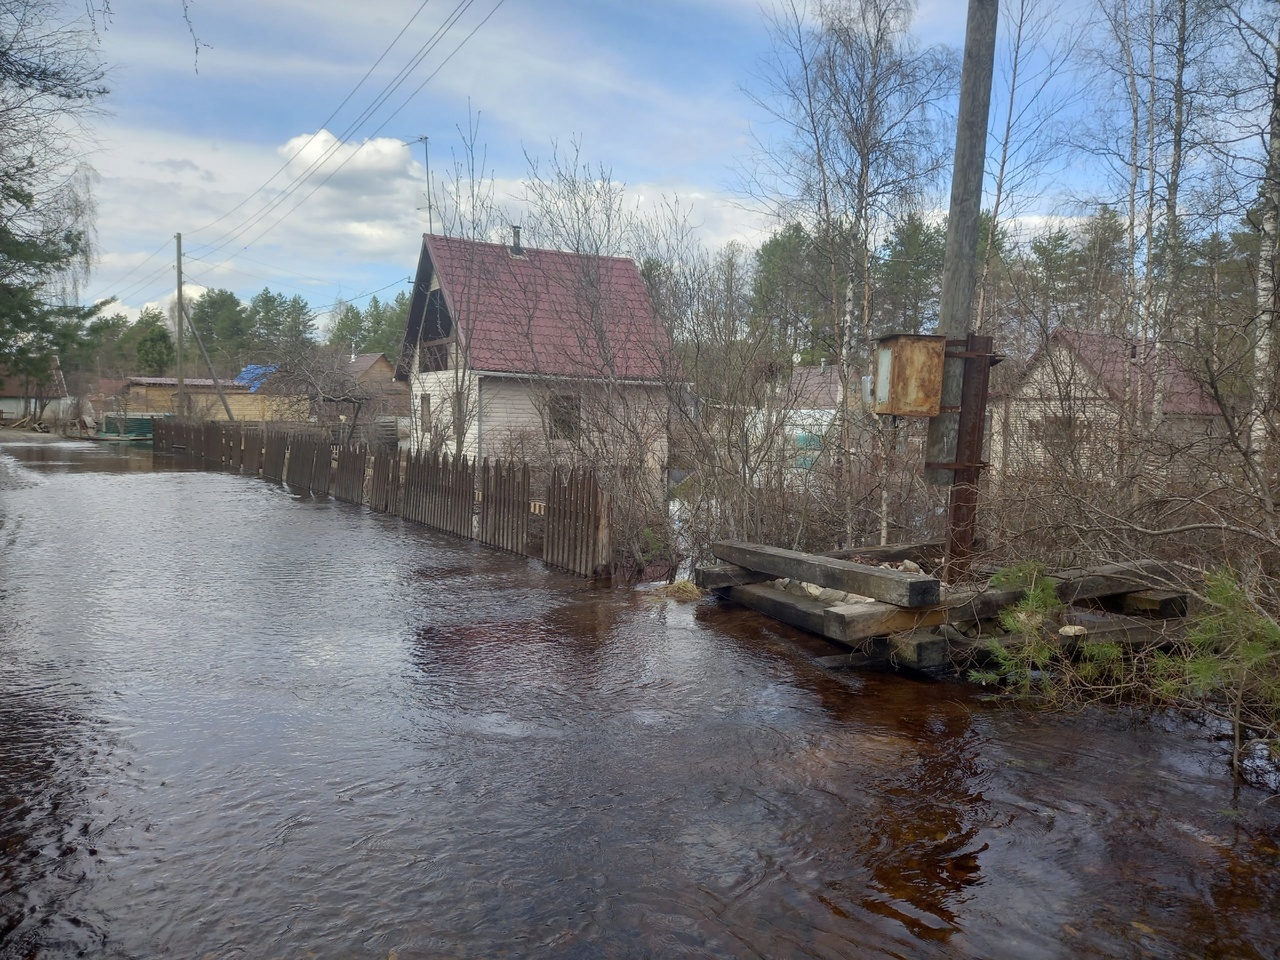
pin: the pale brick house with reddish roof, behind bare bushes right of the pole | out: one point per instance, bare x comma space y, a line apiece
1087, 403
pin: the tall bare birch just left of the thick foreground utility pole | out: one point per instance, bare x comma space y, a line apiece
862, 111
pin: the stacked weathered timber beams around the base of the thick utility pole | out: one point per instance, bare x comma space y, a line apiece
884, 609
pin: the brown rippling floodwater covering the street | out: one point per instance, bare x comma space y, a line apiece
236, 723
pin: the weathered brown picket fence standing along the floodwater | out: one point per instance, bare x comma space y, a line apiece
495, 502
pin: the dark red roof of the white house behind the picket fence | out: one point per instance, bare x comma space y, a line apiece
545, 312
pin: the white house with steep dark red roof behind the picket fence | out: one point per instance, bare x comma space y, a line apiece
542, 355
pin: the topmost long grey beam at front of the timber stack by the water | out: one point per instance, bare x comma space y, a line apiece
885, 586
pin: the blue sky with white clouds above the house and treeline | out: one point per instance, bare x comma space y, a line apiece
213, 144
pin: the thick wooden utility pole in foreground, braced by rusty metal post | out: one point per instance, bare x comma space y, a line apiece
948, 460
